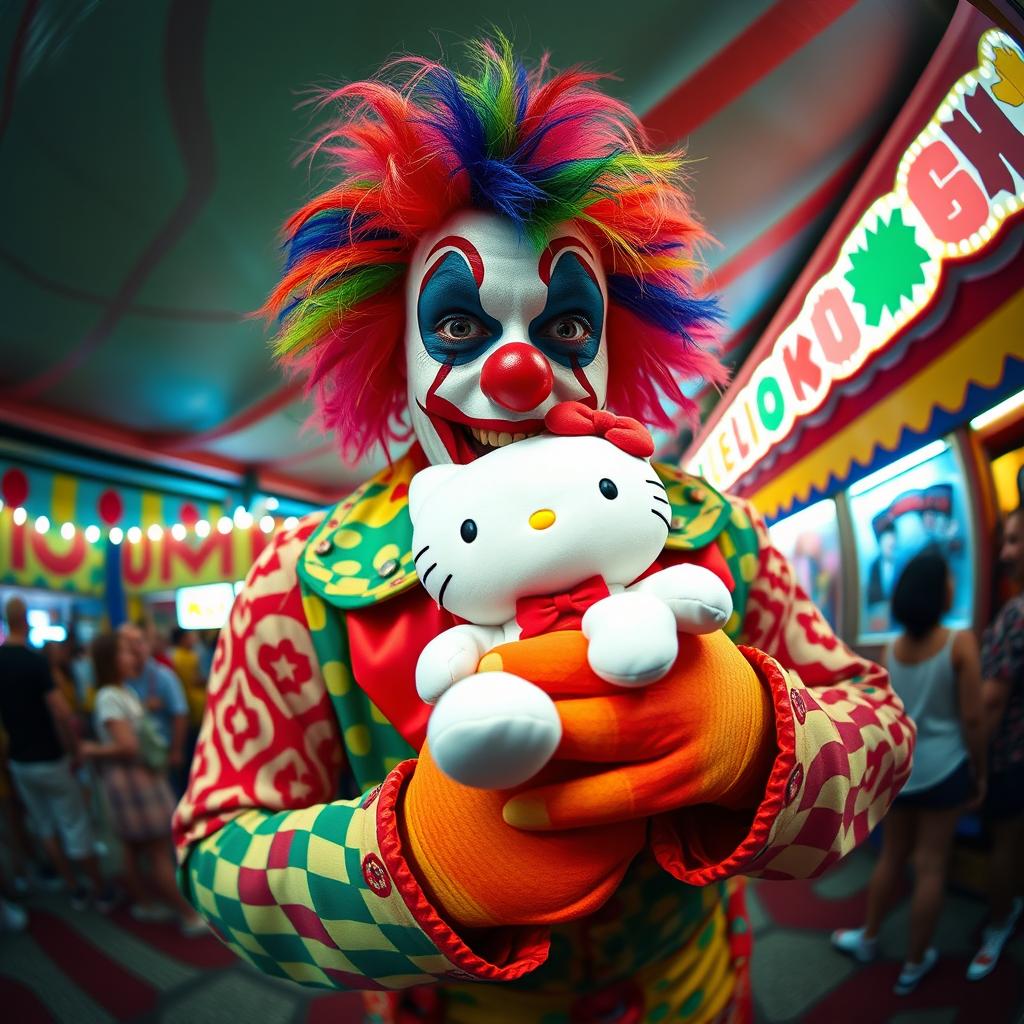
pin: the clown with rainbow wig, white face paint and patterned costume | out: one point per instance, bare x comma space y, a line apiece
496, 244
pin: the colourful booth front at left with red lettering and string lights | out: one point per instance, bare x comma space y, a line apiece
89, 550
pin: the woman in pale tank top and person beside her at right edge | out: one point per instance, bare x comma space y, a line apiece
969, 709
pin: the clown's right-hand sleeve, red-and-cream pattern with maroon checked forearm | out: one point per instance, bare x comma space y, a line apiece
842, 741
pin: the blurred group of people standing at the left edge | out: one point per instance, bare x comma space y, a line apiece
96, 746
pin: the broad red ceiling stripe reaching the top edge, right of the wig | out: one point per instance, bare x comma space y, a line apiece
783, 30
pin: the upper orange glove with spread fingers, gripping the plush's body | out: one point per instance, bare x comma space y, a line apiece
704, 735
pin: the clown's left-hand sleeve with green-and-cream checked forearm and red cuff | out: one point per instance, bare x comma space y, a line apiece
298, 883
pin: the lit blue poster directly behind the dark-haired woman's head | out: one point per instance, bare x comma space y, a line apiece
923, 507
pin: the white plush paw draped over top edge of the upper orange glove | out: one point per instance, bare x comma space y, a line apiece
632, 639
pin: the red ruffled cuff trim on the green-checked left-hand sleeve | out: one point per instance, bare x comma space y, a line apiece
529, 947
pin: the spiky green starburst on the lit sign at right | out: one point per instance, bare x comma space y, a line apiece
884, 274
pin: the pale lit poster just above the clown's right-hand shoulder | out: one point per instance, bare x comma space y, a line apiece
810, 541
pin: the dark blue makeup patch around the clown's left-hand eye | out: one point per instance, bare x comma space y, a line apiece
453, 325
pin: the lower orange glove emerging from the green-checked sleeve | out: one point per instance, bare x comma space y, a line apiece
481, 873
